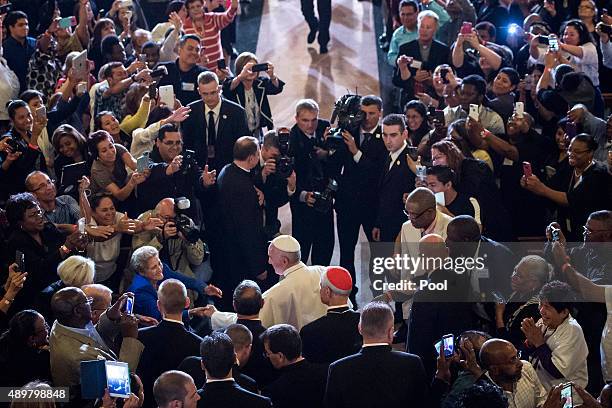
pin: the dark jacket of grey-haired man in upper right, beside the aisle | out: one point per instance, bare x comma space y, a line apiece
438, 54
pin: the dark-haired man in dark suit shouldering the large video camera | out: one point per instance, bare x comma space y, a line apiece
361, 166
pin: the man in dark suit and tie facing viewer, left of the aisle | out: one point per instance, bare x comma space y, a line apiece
213, 125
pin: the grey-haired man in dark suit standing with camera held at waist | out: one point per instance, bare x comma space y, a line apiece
312, 218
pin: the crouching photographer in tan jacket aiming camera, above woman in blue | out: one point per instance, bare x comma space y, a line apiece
177, 241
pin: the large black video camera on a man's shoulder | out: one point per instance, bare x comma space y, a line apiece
350, 116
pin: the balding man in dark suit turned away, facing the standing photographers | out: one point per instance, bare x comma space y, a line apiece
242, 251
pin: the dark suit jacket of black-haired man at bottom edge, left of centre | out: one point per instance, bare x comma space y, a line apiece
228, 394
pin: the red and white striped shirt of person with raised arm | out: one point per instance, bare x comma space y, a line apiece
209, 31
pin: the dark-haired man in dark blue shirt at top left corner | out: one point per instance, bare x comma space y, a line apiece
18, 47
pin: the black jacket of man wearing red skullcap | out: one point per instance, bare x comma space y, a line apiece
331, 337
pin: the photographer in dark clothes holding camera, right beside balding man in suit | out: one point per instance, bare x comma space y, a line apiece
274, 175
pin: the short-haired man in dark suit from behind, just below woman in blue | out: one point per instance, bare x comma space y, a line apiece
157, 357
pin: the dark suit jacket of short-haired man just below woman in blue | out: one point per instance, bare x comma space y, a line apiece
166, 346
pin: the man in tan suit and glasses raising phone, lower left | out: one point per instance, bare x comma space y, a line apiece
74, 338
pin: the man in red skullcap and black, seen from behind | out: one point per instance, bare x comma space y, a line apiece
335, 335
